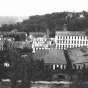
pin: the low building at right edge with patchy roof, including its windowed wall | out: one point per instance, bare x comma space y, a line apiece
78, 57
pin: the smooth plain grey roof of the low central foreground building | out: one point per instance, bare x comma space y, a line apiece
50, 56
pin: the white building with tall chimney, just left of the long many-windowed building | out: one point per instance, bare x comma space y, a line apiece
42, 42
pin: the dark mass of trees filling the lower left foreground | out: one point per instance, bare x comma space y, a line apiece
21, 68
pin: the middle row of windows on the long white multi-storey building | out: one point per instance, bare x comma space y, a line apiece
71, 42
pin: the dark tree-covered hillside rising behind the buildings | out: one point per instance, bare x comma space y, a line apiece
54, 21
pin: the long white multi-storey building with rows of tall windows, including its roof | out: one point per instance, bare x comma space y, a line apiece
70, 39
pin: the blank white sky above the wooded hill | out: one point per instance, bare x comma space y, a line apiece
40, 7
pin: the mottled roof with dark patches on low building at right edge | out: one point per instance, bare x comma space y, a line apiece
78, 55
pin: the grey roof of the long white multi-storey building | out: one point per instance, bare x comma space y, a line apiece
70, 33
